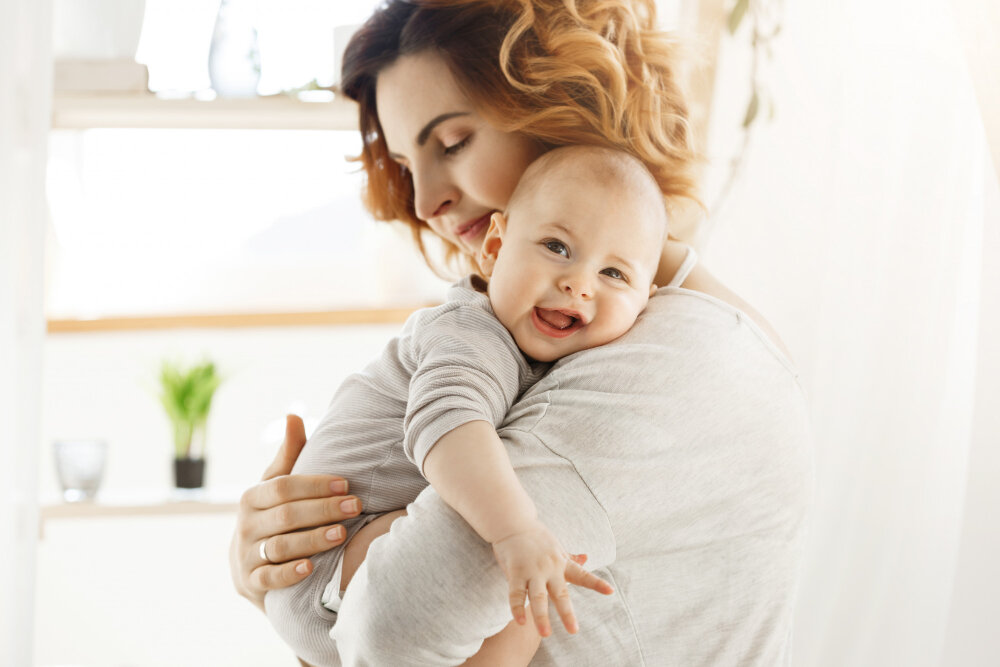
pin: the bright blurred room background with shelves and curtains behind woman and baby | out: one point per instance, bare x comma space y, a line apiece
174, 187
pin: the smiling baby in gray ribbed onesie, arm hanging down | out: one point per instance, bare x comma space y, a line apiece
570, 266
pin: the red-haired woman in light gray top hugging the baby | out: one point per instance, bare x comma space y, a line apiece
680, 452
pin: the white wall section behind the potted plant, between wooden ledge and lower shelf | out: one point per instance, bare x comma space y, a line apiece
104, 385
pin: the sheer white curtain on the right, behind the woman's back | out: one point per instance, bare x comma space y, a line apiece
866, 229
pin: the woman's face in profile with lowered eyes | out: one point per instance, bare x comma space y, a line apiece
463, 169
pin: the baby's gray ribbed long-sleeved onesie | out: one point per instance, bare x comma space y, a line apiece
452, 364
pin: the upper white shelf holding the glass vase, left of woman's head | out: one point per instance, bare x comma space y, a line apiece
79, 111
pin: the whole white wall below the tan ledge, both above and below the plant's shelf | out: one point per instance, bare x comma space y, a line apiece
156, 591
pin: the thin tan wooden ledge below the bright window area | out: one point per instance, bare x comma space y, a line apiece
318, 318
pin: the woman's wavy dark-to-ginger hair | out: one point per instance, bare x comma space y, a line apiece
560, 72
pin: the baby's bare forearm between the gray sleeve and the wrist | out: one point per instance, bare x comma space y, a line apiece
471, 471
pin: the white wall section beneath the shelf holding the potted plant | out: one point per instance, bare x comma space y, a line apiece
145, 592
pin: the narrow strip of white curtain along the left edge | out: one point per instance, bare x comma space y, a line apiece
25, 102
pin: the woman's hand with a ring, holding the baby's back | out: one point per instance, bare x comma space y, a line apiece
293, 514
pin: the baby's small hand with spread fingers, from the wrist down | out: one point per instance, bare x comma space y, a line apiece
535, 563
